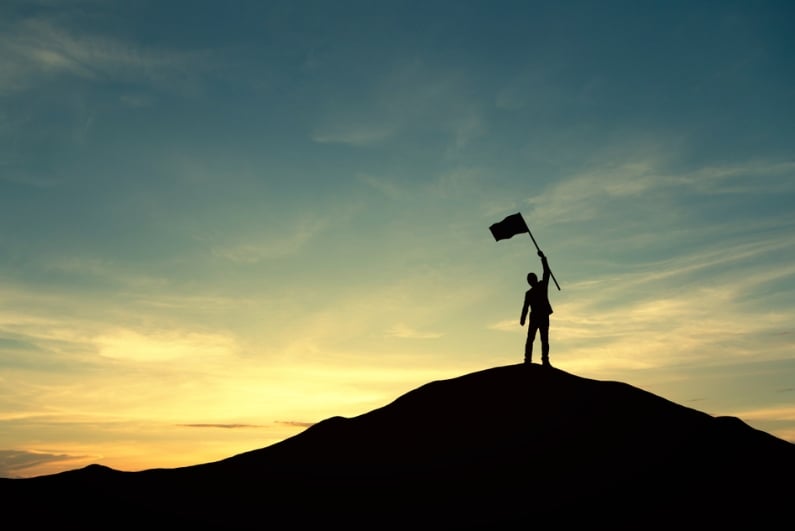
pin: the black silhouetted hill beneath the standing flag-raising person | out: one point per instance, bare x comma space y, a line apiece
505, 448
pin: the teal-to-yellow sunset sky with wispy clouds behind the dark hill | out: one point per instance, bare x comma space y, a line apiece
221, 222
